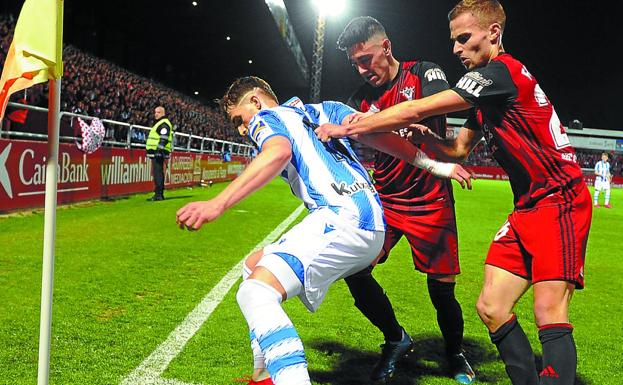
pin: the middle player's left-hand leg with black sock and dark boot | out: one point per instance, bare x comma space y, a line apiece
372, 301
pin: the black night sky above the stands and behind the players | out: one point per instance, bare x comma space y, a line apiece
570, 46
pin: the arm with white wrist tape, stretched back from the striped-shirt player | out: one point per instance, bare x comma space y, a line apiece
398, 147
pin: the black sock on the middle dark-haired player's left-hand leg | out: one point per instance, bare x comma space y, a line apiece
371, 300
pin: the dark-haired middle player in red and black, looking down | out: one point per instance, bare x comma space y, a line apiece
416, 204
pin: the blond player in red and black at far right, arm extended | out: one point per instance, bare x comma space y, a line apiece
543, 242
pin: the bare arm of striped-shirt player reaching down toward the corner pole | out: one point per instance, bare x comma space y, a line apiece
275, 155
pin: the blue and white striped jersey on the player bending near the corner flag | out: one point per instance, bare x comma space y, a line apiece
322, 175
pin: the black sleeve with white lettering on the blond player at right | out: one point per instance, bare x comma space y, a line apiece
491, 85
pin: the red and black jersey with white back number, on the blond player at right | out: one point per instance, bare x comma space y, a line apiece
521, 128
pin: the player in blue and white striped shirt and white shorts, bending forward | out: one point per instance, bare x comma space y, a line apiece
342, 234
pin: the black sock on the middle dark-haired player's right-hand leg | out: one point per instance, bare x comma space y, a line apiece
449, 314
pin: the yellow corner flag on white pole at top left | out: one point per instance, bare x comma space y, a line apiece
36, 52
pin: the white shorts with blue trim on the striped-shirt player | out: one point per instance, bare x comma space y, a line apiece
319, 250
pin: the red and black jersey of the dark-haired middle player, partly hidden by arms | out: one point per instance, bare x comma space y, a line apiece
400, 185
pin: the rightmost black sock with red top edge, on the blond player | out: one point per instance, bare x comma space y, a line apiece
559, 354
